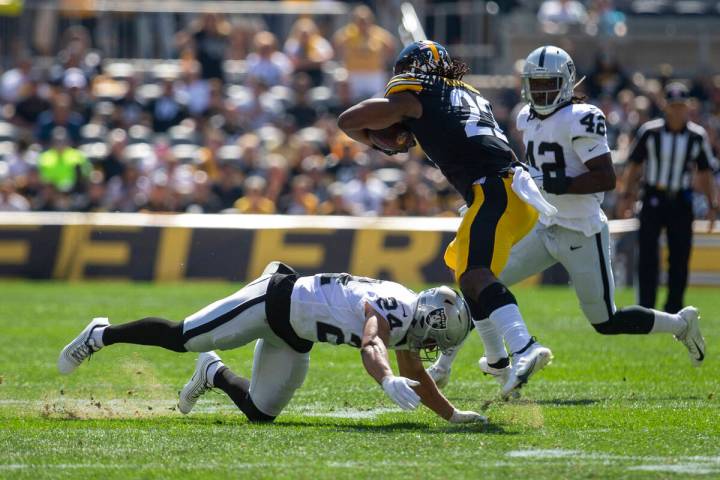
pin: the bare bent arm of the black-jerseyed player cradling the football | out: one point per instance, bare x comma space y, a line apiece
377, 114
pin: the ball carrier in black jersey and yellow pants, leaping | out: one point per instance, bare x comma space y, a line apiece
456, 128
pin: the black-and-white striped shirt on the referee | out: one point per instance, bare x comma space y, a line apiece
670, 157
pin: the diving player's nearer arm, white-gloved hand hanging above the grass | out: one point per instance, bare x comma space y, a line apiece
373, 349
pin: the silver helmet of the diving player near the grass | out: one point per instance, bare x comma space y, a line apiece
441, 321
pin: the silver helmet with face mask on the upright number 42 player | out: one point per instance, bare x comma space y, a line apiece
548, 79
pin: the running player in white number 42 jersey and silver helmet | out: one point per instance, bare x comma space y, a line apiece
567, 151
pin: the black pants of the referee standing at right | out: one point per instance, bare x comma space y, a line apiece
675, 214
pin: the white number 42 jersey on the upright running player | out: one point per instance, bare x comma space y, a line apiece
566, 140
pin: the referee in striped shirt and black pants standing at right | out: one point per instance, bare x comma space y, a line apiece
676, 155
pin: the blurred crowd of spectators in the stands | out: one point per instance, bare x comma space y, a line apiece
84, 135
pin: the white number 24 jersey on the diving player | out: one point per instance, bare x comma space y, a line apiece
331, 308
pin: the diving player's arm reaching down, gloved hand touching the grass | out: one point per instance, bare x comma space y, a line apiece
411, 366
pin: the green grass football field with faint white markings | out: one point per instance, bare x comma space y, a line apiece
623, 407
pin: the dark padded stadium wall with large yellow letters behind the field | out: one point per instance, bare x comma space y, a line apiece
169, 248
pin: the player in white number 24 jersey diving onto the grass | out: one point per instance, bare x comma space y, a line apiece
287, 314
